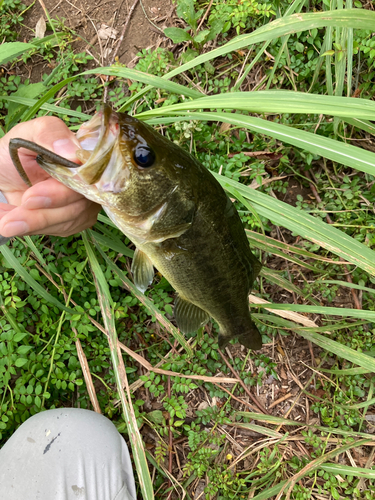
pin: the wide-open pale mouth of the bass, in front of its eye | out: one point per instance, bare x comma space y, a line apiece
104, 156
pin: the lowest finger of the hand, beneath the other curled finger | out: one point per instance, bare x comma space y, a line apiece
68, 218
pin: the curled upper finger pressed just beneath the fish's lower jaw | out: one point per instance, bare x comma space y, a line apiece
49, 194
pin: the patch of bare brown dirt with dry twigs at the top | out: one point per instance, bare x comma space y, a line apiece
144, 30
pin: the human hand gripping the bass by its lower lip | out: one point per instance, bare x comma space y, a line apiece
48, 207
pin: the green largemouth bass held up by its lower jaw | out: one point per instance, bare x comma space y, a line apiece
175, 212
